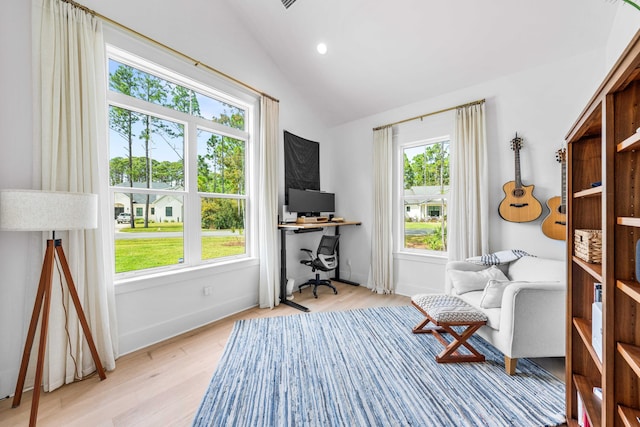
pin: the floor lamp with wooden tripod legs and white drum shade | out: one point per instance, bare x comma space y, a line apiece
32, 210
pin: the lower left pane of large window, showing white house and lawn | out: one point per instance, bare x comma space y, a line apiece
147, 240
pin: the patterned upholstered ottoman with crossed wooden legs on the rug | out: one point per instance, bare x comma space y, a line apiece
446, 311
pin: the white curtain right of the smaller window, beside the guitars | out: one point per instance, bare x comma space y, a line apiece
469, 205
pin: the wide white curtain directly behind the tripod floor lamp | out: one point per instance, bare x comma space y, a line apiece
71, 126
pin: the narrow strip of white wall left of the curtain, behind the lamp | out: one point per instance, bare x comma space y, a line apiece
15, 172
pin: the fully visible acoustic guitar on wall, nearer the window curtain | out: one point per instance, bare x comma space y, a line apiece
519, 204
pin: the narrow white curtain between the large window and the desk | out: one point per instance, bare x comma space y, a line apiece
268, 204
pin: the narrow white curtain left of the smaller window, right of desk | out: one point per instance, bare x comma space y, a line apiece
381, 271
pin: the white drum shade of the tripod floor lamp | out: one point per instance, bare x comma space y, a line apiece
34, 210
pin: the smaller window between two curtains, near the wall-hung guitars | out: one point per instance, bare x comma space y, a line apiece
424, 193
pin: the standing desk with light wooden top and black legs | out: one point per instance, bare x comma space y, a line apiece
305, 228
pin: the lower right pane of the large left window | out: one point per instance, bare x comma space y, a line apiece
223, 223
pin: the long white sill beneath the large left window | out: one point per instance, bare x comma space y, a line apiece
163, 278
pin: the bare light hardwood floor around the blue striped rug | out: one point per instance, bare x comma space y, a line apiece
162, 385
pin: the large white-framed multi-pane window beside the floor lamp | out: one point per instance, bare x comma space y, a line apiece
177, 170
